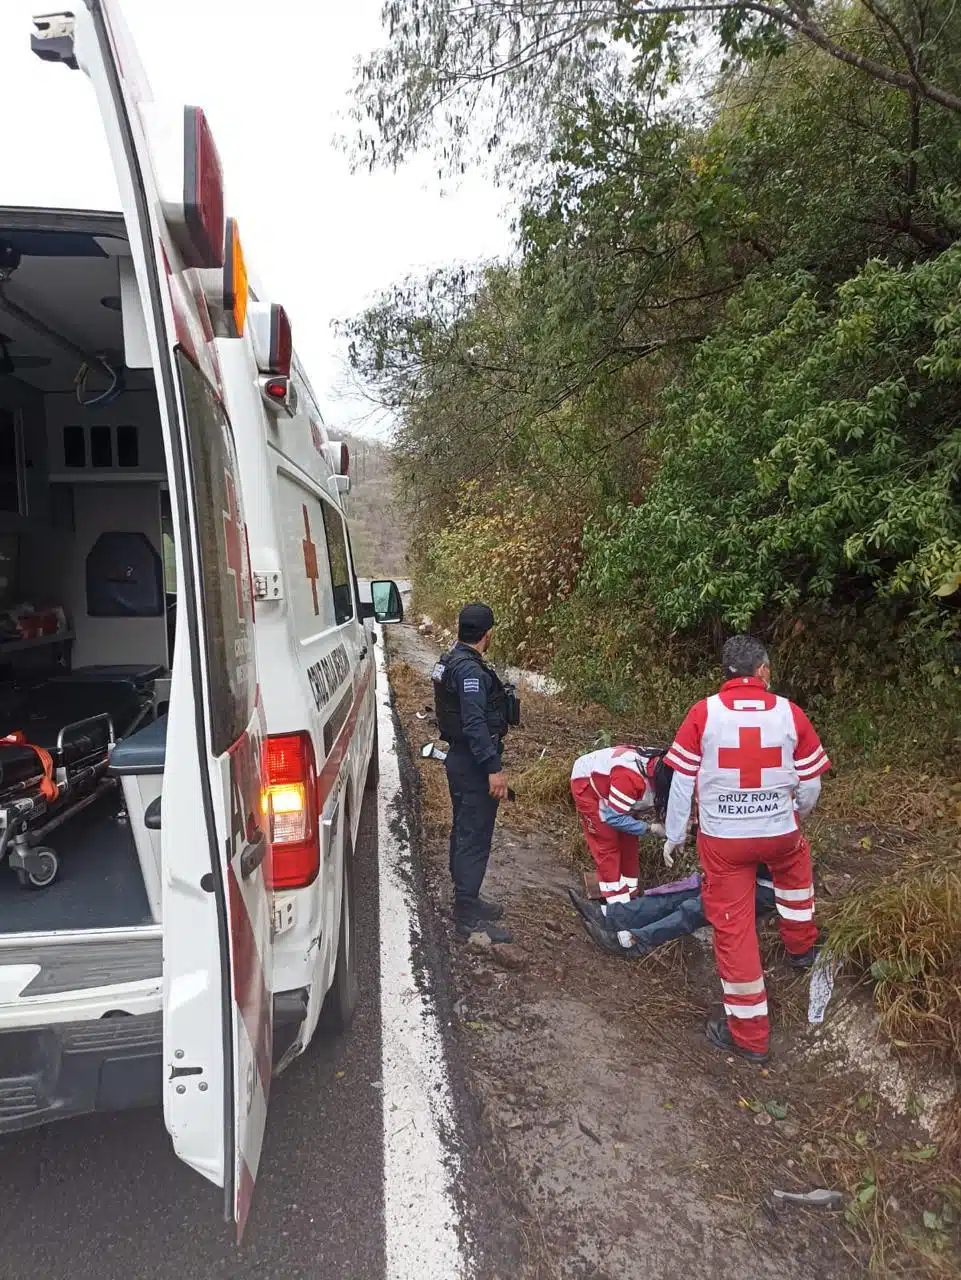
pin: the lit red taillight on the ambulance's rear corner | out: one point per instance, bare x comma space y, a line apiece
290, 804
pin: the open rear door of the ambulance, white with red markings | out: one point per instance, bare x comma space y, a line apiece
217, 915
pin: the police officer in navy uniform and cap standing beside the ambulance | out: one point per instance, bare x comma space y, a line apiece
474, 711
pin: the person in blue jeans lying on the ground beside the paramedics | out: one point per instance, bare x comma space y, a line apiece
658, 916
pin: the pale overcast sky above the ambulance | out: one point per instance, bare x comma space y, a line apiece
273, 77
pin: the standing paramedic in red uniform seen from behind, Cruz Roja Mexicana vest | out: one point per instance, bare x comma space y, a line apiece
757, 764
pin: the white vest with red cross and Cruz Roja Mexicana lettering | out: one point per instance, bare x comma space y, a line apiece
748, 779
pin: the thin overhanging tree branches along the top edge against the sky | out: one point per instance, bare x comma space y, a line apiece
473, 75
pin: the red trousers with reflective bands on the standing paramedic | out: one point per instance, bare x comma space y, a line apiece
729, 892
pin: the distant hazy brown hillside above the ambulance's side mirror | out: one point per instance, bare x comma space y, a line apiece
378, 525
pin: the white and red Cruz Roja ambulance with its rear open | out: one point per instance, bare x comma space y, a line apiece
187, 720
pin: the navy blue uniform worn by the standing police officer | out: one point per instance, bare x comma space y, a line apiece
473, 716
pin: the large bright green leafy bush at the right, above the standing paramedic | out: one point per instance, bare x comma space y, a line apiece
811, 455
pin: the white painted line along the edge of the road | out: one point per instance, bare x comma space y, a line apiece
423, 1224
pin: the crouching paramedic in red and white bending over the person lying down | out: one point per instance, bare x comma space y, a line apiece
611, 789
